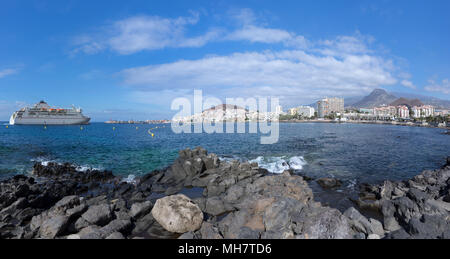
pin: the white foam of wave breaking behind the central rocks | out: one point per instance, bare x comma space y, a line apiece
278, 165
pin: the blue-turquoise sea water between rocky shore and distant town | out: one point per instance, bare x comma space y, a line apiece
351, 152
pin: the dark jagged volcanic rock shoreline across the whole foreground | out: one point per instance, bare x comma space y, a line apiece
235, 200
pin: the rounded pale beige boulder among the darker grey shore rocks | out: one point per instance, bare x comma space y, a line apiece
177, 213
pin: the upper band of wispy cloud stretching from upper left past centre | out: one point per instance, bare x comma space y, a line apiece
141, 33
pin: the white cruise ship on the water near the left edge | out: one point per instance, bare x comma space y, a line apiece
42, 114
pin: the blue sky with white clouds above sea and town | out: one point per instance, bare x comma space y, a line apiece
131, 59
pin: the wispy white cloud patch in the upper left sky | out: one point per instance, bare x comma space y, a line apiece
140, 33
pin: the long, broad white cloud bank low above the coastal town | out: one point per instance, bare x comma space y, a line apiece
289, 74
